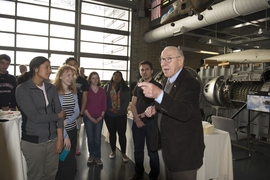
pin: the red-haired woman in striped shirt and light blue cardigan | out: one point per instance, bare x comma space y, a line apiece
66, 87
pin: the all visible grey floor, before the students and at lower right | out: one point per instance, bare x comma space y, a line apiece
257, 167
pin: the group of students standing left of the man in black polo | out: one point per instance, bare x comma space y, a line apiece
51, 113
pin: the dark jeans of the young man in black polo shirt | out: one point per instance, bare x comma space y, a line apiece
139, 137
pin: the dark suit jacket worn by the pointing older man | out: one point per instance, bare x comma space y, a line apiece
181, 131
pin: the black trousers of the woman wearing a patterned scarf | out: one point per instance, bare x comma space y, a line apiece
117, 124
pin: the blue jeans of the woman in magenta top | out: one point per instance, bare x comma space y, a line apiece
93, 132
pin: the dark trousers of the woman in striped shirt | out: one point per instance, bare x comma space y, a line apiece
67, 168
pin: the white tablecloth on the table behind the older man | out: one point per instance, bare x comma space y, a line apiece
217, 161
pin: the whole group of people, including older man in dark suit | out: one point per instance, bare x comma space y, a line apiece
167, 117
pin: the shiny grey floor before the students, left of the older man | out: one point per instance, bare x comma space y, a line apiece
112, 169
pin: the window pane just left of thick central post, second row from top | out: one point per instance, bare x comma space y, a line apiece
62, 16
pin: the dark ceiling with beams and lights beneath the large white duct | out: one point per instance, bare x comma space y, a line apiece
244, 32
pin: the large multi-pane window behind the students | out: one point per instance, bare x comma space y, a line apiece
45, 37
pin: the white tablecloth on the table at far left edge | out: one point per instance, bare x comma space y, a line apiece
12, 163
